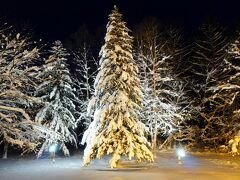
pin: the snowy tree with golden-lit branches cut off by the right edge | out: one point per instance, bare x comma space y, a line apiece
226, 96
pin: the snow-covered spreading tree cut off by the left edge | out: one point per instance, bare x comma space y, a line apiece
17, 83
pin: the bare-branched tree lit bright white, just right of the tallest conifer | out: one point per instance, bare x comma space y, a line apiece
163, 109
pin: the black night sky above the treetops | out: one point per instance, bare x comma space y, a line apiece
54, 19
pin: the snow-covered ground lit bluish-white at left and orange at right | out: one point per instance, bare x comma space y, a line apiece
195, 166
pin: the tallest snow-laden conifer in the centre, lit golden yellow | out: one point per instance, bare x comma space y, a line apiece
115, 129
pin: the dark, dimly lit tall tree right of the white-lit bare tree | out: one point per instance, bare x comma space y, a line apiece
206, 72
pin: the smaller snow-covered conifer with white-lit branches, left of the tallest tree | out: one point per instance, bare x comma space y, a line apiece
56, 90
